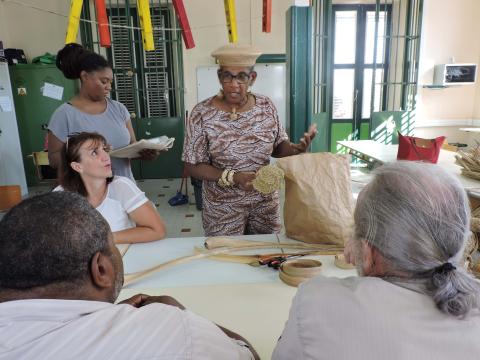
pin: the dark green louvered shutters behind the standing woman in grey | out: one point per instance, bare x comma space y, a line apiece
142, 79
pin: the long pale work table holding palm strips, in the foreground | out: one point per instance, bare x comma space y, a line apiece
249, 300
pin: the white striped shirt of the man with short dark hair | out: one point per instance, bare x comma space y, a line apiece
79, 329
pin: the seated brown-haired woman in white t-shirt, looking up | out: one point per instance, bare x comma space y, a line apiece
87, 170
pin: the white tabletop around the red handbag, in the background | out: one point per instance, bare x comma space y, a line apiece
383, 153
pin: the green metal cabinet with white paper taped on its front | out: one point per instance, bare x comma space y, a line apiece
37, 91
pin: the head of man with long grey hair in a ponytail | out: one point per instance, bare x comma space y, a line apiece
411, 222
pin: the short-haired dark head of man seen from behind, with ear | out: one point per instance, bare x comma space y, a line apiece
57, 245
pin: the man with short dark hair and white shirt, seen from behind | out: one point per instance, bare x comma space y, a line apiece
59, 276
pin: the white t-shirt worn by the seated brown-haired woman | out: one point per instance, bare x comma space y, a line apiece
123, 197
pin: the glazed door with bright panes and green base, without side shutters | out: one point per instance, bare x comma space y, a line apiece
356, 58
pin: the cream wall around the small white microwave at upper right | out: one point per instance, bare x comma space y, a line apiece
450, 29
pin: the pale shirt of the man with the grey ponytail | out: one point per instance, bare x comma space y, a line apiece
370, 318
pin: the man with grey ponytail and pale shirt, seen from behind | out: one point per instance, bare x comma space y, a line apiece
413, 299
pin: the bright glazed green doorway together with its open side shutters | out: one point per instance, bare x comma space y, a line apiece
365, 68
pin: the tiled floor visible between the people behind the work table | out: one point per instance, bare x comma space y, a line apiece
186, 220
